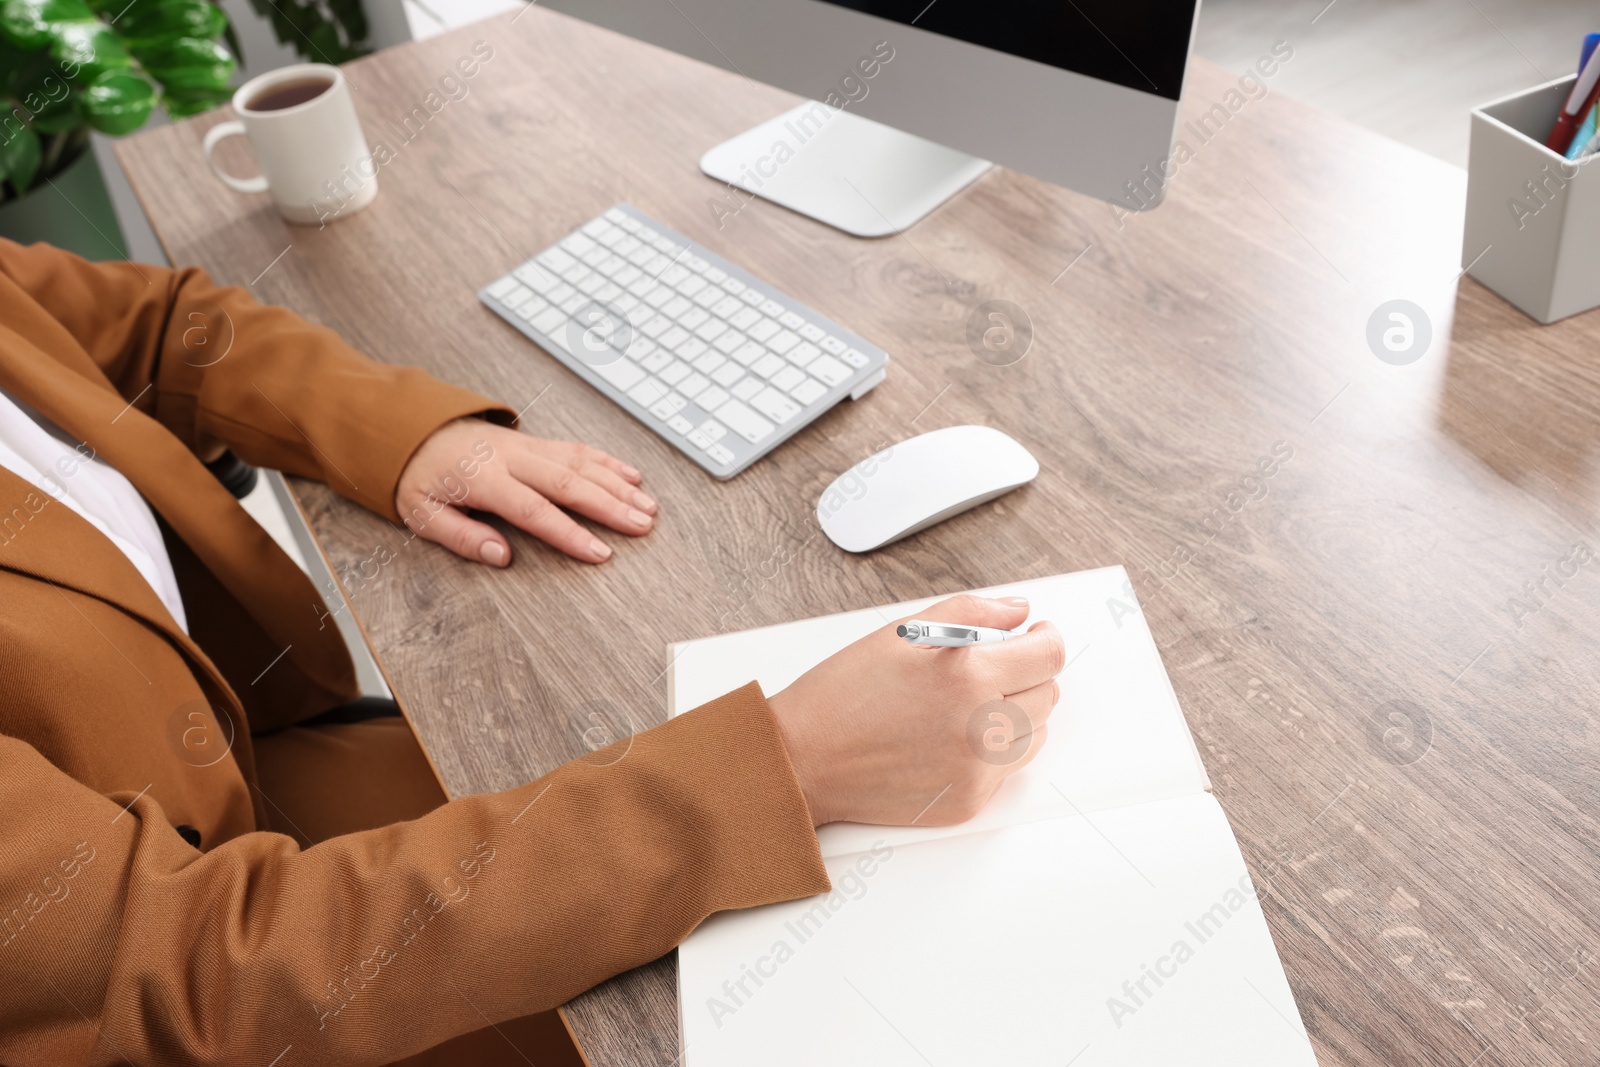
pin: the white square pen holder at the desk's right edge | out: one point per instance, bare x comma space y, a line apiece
1534, 218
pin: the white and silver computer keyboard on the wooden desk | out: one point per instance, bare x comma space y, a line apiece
718, 362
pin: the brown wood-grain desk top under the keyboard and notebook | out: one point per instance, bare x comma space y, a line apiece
1439, 911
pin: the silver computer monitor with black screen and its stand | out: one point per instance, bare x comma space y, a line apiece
916, 98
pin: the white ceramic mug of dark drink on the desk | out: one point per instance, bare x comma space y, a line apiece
314, 158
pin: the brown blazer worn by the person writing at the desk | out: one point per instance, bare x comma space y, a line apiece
119, 941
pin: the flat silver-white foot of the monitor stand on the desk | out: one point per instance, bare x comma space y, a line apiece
854, 174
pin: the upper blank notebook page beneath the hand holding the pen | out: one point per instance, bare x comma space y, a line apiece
1116, 738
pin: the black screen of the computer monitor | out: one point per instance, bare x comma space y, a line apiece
1140, 44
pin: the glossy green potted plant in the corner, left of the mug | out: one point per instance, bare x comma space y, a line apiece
74, 66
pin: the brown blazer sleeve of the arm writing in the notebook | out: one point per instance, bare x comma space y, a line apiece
122, 943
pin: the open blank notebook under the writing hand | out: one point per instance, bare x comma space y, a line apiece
1098, 913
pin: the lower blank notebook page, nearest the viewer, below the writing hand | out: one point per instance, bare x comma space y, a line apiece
1025, 948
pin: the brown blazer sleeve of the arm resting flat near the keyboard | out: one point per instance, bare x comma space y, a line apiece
218, 369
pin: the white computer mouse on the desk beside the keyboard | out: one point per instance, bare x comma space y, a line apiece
921, 482
